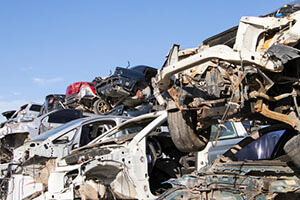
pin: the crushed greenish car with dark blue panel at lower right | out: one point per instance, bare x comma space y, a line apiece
259, 167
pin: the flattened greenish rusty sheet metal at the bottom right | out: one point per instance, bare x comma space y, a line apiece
231, 187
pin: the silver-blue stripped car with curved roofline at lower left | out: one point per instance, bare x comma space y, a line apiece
35, 159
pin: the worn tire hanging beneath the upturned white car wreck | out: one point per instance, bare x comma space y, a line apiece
182, 131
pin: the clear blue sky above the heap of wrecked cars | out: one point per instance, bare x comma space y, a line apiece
45, 45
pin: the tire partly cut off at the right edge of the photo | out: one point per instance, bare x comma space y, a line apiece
292, 149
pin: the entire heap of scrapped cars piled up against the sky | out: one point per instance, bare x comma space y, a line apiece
80, 147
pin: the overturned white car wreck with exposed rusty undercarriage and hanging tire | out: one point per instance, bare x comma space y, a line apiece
249, 72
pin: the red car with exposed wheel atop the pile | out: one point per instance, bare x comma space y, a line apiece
81, 95
